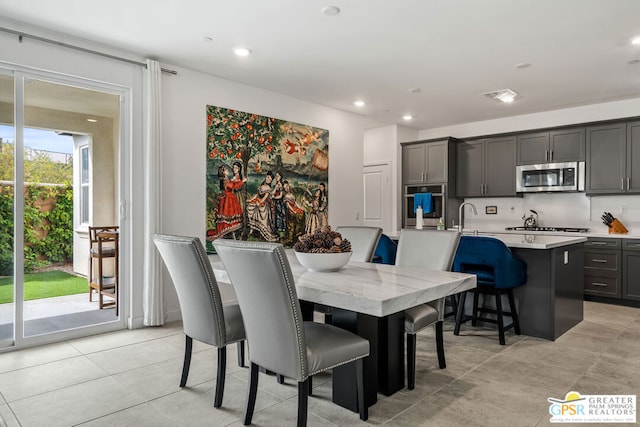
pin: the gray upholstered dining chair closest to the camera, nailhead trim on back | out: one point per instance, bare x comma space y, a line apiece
278, 339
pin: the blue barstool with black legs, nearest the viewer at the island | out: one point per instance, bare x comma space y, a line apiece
498, 271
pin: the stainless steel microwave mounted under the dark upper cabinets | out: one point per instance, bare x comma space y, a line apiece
568, 176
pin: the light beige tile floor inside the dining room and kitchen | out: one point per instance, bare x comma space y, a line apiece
130, 378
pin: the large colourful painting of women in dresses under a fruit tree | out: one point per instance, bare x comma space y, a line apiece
266, 178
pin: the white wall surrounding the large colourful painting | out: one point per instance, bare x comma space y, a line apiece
184, 101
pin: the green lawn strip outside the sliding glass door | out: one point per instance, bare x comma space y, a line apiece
44, 285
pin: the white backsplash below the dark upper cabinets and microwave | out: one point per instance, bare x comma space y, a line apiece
555, 210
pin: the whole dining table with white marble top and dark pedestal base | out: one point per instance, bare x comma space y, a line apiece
367, 299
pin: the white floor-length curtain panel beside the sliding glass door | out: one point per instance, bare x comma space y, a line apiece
153, 303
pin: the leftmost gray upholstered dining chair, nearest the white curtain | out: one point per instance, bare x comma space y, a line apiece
205, 317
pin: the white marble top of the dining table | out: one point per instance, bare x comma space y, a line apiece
374, 289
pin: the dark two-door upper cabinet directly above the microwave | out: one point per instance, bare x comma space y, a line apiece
562, 145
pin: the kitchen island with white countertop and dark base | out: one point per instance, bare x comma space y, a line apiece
551, 302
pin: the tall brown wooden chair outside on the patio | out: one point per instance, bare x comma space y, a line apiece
103, 247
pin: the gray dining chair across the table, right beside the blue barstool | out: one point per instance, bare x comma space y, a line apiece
431, 250
